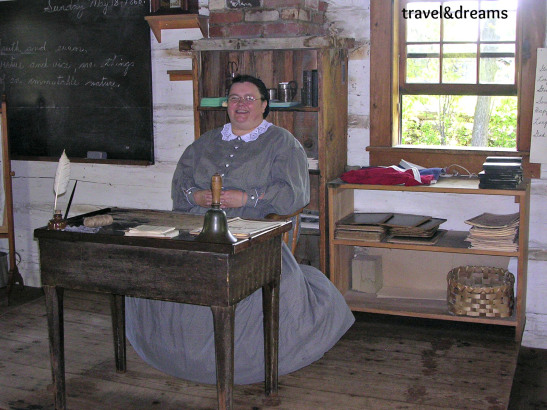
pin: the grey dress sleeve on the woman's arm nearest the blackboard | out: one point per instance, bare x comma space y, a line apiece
183, 184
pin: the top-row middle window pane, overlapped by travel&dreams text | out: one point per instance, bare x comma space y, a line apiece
460, 29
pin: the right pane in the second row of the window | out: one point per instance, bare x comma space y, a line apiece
497, 64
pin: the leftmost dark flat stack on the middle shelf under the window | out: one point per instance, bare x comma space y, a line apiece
362, 226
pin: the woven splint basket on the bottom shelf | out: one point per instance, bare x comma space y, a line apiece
480, 291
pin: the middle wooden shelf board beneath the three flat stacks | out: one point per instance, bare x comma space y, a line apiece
451, 242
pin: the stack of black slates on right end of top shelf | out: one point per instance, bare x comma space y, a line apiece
501, 173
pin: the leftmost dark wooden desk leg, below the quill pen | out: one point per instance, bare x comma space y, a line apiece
54, 310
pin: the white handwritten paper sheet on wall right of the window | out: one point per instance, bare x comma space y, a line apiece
538, 148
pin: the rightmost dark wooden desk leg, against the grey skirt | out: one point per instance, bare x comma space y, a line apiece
270, 307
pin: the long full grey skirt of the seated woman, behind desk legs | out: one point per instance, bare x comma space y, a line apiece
178, 339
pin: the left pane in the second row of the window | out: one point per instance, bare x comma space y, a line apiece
422, 64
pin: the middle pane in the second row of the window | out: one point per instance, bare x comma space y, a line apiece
459, 63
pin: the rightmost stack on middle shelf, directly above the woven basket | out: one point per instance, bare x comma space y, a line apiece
494, 232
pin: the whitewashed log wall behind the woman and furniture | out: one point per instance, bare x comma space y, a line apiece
149, 186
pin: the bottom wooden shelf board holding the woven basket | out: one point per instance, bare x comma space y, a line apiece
422, 308
